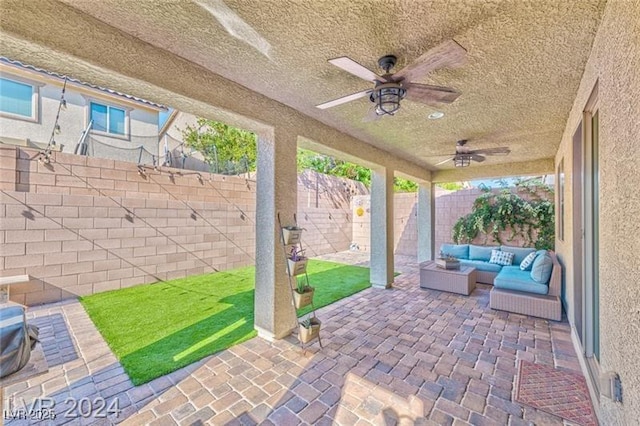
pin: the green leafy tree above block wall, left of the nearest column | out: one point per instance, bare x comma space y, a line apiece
224, 147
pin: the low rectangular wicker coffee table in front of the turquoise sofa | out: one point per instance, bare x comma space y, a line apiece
461, 281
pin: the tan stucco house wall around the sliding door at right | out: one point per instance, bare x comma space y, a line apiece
615, 65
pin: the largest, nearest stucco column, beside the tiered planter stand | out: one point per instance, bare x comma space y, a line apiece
276, 192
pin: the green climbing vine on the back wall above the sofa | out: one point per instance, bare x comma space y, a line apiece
531, 219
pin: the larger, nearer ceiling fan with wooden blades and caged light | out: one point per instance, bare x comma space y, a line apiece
390, 89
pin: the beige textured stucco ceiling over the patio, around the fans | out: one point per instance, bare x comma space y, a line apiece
525, 61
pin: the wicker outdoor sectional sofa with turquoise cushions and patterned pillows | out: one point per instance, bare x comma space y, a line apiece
533, 291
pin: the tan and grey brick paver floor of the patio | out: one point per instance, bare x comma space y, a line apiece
399, 356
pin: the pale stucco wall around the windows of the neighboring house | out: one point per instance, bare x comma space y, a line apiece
143, 122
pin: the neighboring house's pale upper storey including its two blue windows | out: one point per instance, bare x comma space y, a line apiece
122, 126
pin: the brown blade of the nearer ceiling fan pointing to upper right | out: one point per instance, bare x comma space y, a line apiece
446, 54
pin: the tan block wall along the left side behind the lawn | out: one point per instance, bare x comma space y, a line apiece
82, 225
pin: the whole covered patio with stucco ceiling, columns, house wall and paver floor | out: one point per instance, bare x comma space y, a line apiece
534, 79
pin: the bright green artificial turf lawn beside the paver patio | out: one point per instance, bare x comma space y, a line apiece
155, 329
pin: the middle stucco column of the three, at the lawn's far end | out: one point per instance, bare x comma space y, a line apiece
381, 271
